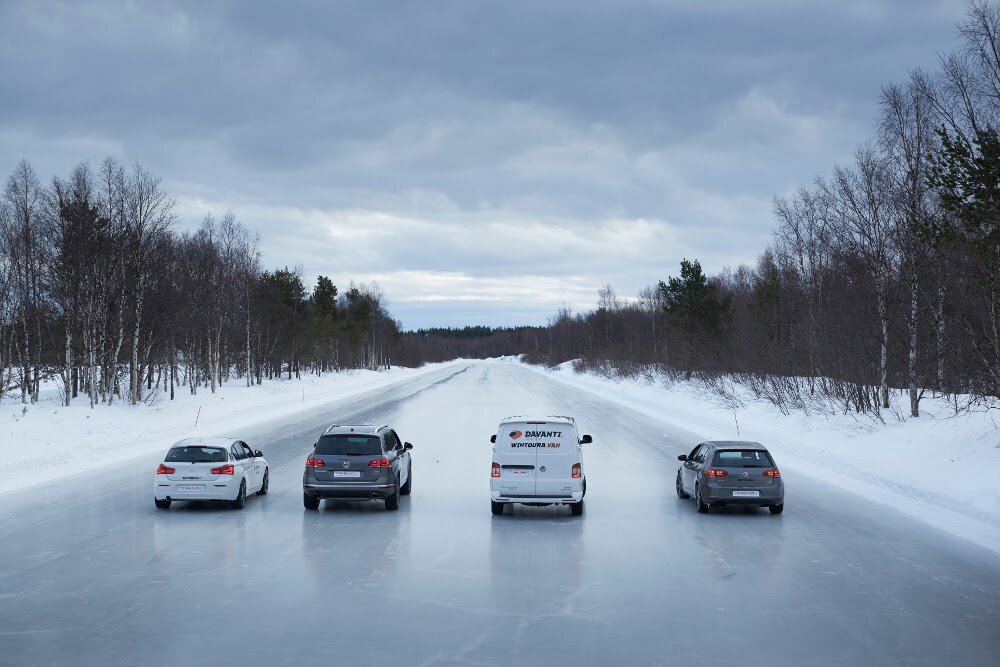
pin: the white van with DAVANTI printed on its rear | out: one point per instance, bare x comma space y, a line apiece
538, 461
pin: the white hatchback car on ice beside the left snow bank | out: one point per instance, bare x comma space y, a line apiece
210, 469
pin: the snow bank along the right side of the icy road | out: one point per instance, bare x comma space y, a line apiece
939, 468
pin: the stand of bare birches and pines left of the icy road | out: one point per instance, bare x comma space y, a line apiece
97, 287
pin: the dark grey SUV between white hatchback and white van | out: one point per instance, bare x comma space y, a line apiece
359, 462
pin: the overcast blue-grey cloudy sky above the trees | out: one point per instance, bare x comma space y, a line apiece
483, 162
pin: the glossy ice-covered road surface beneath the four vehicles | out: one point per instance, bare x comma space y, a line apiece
92, 573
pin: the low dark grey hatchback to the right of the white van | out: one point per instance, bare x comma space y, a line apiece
731, 472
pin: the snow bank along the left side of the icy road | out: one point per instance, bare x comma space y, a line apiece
46, 441
